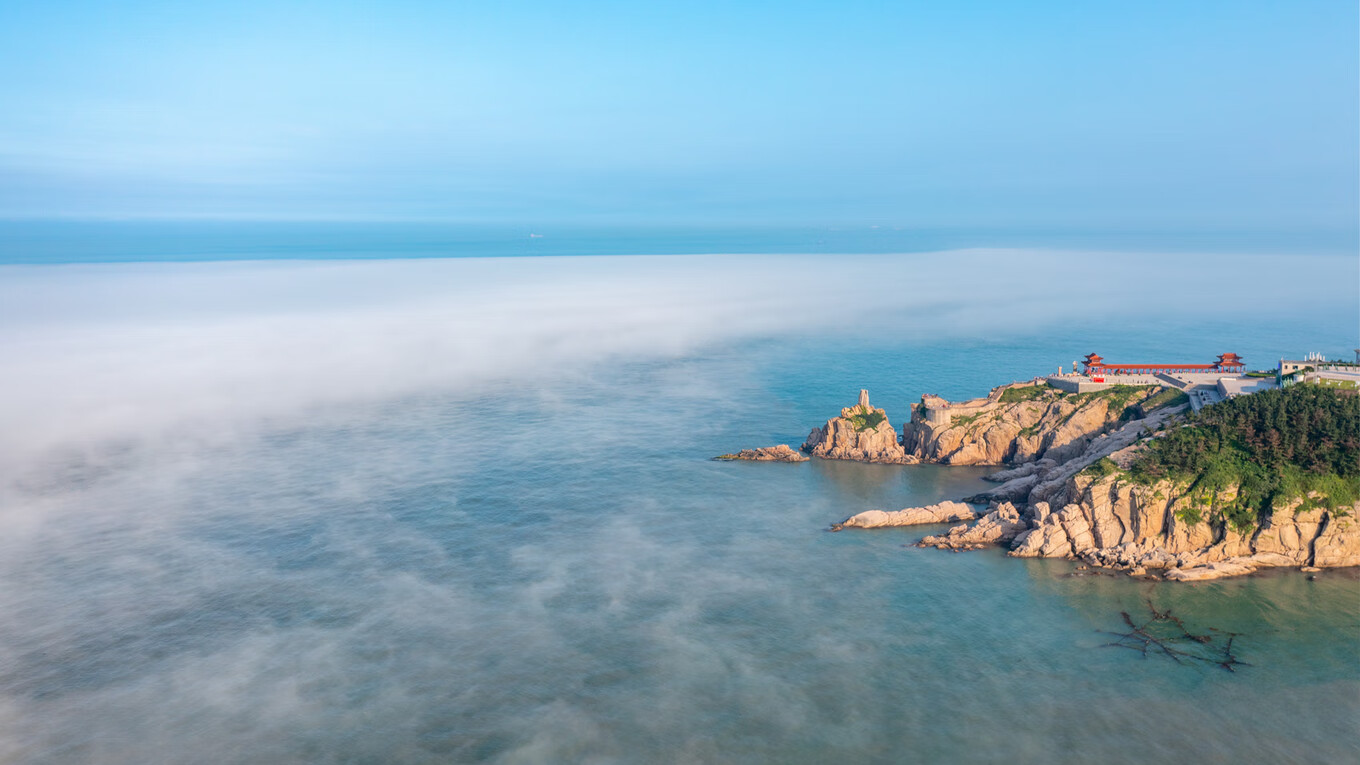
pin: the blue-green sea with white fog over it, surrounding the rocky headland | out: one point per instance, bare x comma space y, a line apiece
466, 511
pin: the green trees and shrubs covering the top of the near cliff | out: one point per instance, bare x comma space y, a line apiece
1271, 447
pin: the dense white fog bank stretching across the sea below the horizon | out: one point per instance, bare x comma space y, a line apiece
135, 352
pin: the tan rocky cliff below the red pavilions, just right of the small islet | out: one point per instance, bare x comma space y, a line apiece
1018, 424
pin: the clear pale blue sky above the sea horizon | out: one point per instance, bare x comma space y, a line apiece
1127, 115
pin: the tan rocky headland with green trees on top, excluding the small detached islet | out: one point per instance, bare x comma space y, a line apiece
1119, 480
